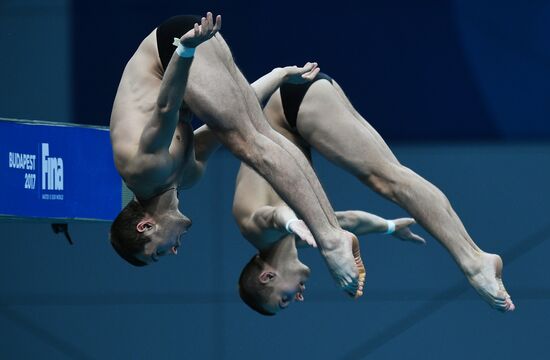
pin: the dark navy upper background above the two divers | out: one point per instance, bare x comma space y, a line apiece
420, 70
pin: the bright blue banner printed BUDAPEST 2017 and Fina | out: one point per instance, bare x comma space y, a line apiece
62, 171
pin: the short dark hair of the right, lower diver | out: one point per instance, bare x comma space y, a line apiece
252, 291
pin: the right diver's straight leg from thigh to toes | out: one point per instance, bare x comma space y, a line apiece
328, 124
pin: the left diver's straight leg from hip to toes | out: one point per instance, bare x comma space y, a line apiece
215, 97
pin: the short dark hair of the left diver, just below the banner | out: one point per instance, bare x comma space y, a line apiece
124, 237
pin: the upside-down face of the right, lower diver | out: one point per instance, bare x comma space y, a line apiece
287, 288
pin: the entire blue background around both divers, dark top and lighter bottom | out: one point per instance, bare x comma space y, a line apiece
460, 88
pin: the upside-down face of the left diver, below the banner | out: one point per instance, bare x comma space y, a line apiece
165, 237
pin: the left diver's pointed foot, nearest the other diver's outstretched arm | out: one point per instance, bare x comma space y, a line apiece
345, 264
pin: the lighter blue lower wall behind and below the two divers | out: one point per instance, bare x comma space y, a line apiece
60, 301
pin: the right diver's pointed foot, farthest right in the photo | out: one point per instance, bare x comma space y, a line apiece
485, 275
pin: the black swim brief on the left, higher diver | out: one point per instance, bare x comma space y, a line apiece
172, 28
